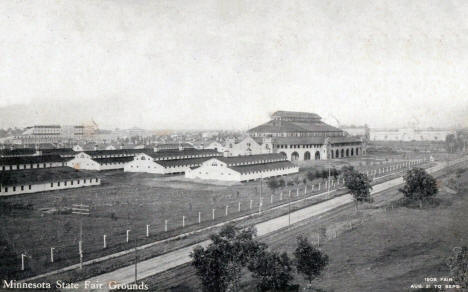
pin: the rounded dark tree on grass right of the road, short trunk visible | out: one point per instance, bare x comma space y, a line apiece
419, 185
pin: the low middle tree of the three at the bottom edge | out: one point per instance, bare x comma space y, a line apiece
272, 270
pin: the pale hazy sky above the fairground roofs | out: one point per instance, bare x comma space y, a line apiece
229, 64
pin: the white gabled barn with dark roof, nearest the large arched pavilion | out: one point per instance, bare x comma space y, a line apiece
243, 168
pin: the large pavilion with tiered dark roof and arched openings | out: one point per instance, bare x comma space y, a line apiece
303, 136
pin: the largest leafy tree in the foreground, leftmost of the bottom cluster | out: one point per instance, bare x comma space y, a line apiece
219, 265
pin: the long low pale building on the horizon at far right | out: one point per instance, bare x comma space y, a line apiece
409, 134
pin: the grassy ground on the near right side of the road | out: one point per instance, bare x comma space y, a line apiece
390, 250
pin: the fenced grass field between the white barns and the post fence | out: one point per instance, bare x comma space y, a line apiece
124, 201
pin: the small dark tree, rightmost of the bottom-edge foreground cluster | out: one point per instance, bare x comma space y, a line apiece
310, 261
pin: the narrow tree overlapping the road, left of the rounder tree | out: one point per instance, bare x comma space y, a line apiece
358, 185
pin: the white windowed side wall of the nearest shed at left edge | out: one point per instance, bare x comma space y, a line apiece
44, 187
